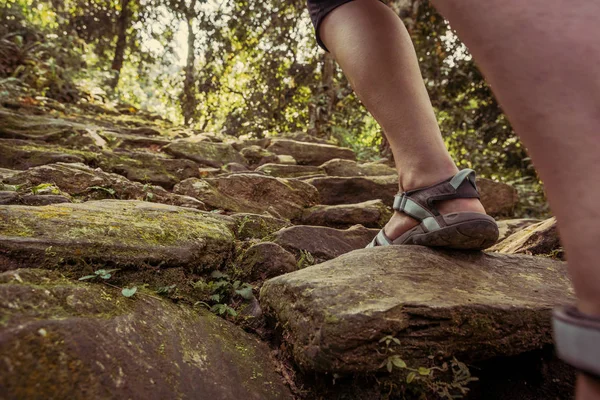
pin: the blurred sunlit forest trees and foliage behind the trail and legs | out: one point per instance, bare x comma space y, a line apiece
248, 67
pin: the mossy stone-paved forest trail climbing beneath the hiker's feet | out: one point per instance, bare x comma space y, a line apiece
221, 268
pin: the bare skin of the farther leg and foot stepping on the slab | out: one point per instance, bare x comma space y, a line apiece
375, 52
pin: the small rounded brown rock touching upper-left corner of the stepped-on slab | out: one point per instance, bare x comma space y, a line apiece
265, 260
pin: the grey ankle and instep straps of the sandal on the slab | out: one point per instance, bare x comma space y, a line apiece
420, 203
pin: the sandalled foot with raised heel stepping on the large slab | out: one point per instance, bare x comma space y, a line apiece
448, 214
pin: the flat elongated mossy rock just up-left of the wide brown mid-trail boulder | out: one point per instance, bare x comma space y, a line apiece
148, 168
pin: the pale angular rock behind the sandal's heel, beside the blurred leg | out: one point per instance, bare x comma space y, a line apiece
537, 239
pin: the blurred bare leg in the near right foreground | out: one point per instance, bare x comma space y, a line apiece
541, 58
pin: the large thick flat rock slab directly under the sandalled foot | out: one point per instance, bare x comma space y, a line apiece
470, 305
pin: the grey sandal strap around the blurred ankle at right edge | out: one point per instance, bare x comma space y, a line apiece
577, 338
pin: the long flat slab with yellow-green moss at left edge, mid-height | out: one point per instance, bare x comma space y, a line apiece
113, 232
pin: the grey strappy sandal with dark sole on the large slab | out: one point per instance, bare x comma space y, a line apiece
458, 230
